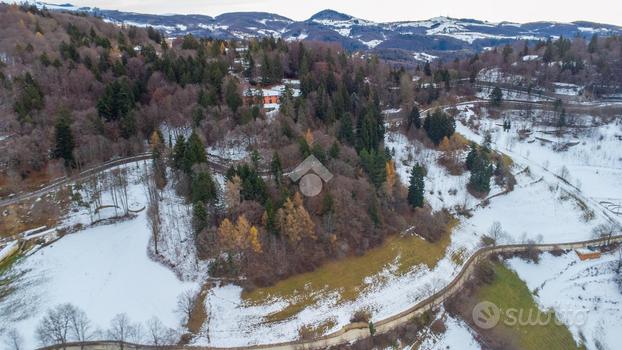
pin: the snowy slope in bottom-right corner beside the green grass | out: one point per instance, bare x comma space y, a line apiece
584, 294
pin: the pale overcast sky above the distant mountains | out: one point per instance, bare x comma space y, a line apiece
605, 11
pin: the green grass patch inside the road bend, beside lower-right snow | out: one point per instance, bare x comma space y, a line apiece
508, 291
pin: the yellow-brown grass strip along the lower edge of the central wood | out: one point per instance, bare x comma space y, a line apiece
350, 276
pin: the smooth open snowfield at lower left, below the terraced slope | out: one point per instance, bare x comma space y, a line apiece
102, 270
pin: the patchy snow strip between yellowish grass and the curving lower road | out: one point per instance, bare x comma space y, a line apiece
236, 323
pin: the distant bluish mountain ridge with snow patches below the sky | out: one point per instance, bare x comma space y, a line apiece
415, 39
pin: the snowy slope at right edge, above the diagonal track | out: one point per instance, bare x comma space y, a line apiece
592, 161
